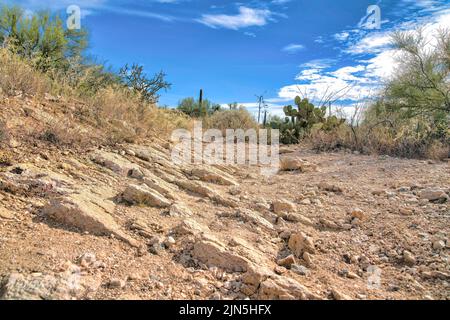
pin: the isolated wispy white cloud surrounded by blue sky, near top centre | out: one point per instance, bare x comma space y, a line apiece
247, 17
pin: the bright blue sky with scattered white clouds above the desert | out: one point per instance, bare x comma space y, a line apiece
235, 50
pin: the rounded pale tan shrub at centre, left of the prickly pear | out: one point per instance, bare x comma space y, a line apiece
231, 119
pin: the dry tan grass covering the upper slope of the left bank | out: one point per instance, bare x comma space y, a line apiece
109, 116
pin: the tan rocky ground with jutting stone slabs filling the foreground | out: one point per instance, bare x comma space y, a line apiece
125, 223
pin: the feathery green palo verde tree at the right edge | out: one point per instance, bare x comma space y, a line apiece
420, 88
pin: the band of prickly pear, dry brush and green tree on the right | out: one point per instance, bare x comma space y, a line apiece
410, 117
